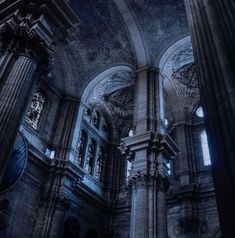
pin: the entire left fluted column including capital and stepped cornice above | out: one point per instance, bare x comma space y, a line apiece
26, 40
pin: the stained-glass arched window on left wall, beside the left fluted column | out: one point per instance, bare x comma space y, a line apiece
35, 110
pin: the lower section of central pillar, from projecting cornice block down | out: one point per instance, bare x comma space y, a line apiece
149, 182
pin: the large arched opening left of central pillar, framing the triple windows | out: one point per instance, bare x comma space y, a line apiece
105, 116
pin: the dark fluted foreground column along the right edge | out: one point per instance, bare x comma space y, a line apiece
212, 26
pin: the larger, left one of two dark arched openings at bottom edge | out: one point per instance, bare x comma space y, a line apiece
71, 228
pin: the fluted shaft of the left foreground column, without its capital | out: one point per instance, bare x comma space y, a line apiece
13, 101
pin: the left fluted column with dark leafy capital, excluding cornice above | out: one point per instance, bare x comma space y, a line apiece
22, 55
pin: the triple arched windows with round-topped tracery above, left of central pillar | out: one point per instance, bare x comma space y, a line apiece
92, 145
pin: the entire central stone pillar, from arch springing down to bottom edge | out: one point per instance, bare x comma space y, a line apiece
152, 149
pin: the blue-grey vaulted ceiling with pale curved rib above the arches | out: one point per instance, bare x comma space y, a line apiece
115, 32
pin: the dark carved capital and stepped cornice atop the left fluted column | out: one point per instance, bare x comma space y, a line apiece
29, 28
